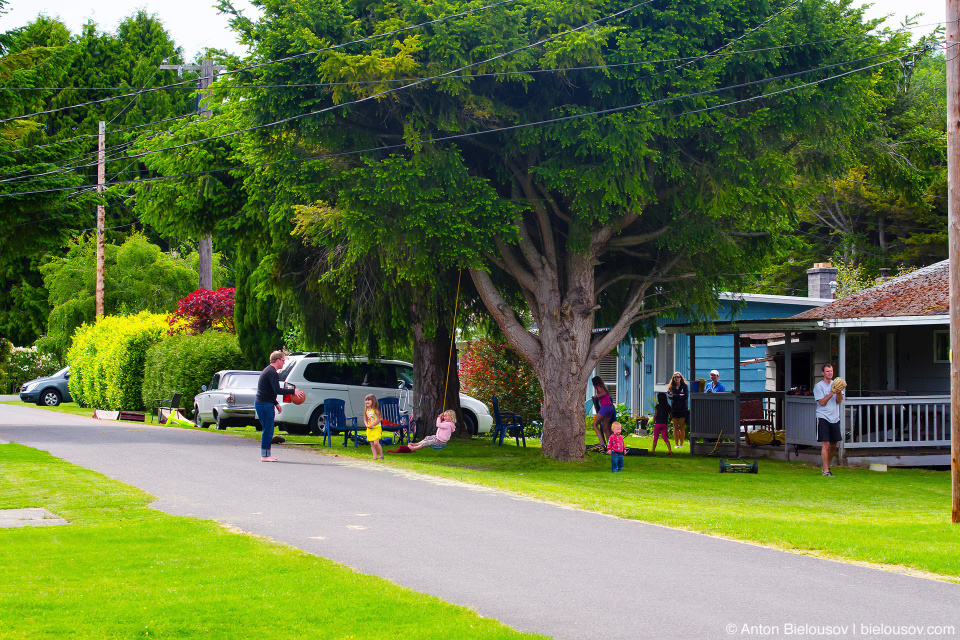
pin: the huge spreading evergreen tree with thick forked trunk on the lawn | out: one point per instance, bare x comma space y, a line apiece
650, 188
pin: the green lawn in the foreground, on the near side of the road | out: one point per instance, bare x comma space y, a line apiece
122, 570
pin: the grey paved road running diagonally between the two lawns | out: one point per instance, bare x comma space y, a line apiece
535, 566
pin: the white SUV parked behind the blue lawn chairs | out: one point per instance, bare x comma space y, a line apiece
323, 376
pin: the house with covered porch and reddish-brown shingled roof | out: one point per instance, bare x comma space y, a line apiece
889, 342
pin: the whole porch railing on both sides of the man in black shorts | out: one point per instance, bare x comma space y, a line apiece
873, 422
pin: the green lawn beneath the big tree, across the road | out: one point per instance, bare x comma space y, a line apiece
901, 517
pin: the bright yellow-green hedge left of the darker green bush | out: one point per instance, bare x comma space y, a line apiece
107, 360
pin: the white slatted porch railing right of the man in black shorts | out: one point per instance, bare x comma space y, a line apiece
898, 421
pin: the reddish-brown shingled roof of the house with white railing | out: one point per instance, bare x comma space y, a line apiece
925, 292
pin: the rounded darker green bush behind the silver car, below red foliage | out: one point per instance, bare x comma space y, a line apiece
181, 363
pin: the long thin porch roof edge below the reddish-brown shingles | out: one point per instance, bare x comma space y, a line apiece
796, 325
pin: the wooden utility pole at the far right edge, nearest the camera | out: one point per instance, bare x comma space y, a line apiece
953, 224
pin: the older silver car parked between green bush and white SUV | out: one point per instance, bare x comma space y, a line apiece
228, 400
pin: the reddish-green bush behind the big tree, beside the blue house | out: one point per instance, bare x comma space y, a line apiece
489, 368
